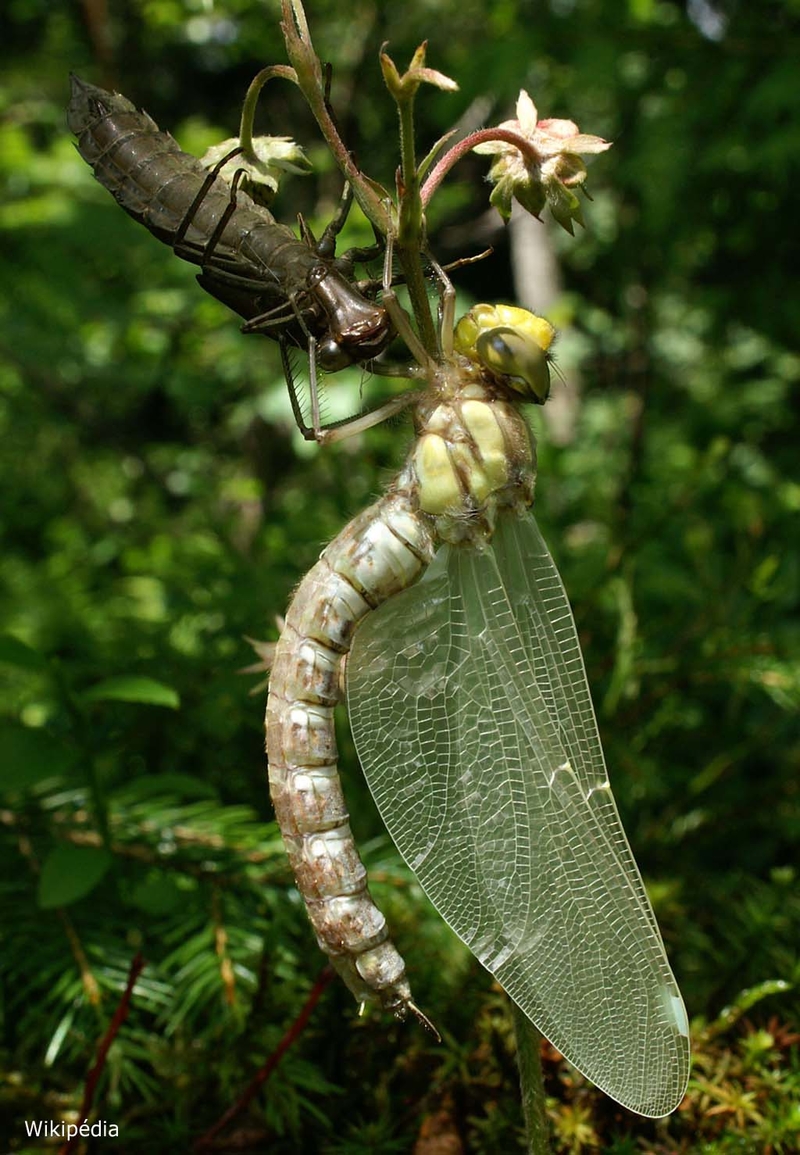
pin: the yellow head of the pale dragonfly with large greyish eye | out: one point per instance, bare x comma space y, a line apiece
513, 345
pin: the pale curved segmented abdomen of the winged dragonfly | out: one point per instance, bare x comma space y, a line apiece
379, 554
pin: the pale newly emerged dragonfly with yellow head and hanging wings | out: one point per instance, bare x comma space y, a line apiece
474, 724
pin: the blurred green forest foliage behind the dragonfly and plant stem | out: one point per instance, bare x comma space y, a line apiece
156, 508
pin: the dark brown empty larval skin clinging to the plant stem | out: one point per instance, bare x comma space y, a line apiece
286, 288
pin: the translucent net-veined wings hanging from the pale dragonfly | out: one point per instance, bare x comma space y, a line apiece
474, 724
